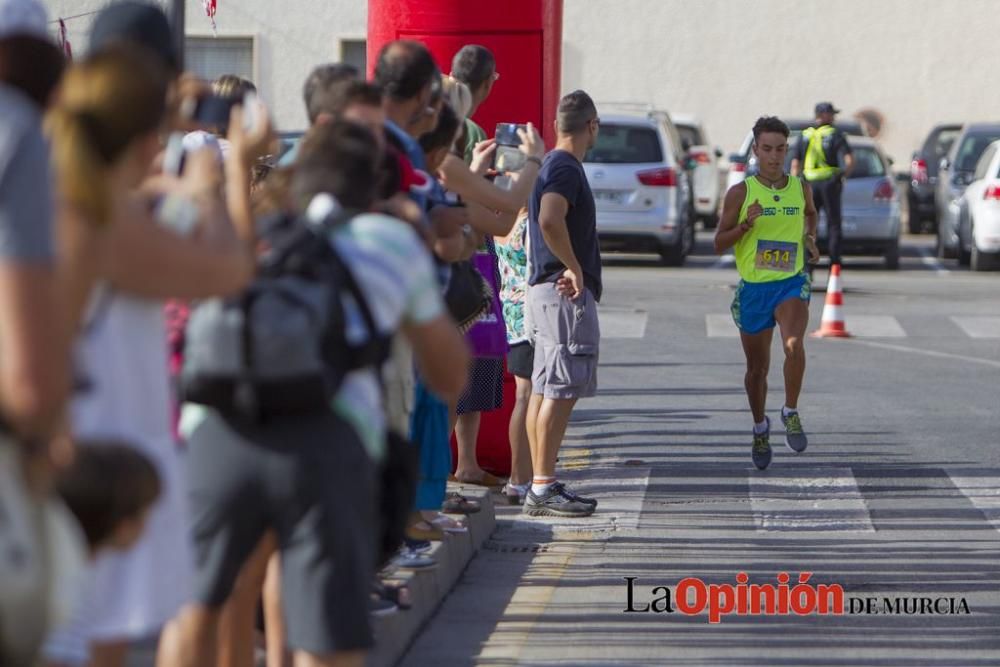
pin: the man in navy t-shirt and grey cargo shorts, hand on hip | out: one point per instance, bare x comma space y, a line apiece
564, 288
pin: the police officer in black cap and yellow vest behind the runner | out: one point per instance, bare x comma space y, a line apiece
818, 159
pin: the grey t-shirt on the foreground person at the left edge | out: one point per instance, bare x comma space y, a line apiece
26, 205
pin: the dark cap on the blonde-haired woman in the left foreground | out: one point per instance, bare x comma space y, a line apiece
137, 23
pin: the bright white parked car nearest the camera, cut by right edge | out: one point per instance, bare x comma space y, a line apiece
979, 230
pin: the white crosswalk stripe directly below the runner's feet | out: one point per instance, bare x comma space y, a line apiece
827, 500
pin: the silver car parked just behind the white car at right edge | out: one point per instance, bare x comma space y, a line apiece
956, 171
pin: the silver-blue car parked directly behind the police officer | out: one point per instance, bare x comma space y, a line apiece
871, 206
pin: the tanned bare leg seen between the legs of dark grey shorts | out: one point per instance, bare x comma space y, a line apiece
237, 624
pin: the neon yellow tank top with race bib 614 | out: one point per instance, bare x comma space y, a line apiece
773, 249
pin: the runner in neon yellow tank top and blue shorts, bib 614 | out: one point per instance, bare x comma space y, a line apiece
770, 220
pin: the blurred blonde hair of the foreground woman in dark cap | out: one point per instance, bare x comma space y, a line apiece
106, 102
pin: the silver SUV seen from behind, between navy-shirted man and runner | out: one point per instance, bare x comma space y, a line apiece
641, 190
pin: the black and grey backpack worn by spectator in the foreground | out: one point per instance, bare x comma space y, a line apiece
279, 348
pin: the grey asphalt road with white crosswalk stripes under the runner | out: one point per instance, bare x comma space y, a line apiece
896, 499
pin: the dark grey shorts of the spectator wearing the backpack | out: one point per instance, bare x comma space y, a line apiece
312, 482
